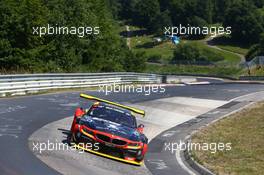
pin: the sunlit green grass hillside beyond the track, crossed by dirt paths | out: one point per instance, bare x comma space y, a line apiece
227, 66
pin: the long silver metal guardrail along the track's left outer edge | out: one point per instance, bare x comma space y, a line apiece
27, 83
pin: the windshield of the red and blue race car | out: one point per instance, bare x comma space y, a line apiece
113, 115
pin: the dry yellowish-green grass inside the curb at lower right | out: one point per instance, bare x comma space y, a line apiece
244, 130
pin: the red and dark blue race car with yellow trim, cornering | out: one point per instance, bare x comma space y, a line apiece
113, 127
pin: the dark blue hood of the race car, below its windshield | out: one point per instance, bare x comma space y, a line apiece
113, 128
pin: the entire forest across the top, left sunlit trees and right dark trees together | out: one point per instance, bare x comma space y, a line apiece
21, 51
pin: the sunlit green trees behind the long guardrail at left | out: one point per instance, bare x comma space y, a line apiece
20, 49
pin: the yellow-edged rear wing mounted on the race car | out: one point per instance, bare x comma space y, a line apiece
89, 97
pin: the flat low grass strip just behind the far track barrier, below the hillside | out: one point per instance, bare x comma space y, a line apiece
194, 69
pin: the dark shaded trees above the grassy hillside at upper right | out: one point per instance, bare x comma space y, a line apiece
242, 15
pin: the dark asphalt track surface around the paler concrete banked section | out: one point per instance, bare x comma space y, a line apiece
22, 116
